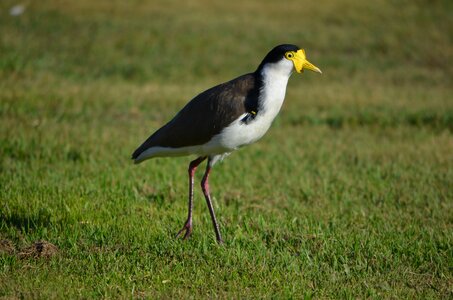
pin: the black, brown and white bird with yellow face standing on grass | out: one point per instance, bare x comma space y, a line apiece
225, 118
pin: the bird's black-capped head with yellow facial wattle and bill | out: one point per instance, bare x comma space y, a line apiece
290, 57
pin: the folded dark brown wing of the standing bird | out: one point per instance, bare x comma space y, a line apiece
206, 115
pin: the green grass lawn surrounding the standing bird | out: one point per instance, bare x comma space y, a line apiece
349, 195
